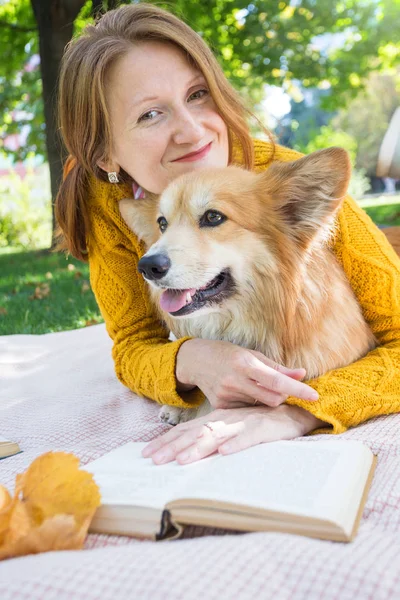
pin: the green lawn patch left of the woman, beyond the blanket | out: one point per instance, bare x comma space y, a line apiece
42, 292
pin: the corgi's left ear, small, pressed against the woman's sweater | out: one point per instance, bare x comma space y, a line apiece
141, 217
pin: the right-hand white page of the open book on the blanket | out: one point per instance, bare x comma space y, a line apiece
316, 479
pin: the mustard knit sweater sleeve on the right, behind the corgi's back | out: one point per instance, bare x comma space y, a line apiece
371, 386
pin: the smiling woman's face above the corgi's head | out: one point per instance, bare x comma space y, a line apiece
164, 121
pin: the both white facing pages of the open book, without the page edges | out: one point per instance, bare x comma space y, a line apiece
308, 478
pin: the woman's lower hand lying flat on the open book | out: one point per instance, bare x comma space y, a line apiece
228, 431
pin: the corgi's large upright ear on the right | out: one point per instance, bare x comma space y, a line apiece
308, 191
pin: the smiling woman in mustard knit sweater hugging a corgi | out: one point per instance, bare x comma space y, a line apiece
142, 100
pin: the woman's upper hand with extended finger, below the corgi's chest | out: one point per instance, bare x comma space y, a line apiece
231, 376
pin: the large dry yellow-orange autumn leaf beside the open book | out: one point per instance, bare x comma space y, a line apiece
52, 507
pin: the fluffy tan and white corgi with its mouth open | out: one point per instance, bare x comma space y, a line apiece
243, 257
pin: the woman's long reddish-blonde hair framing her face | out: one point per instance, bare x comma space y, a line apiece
83, 112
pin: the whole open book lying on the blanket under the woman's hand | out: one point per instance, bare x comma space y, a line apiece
317, 489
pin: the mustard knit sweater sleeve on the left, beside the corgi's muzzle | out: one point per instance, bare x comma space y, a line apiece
144, 357
